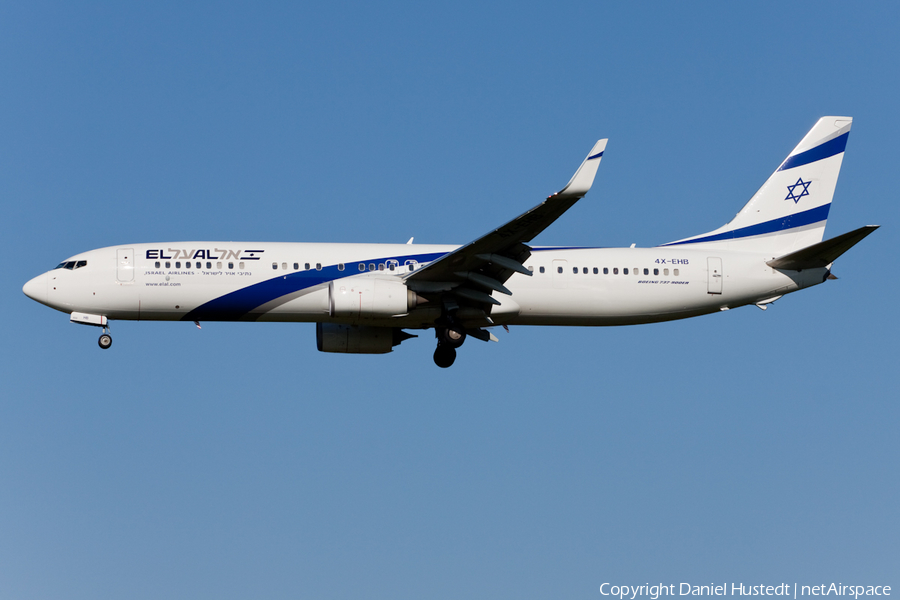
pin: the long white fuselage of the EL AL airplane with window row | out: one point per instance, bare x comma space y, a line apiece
227, 281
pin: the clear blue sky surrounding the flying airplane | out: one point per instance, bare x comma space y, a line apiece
237, 461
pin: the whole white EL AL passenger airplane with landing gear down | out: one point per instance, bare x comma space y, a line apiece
363, 296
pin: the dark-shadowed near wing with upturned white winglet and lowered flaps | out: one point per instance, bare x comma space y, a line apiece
469, 274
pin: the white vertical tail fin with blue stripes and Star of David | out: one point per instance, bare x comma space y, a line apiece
790, 210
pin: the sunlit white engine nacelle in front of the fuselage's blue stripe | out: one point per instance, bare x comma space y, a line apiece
364, 297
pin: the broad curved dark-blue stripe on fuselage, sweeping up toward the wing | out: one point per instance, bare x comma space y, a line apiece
236, 305
